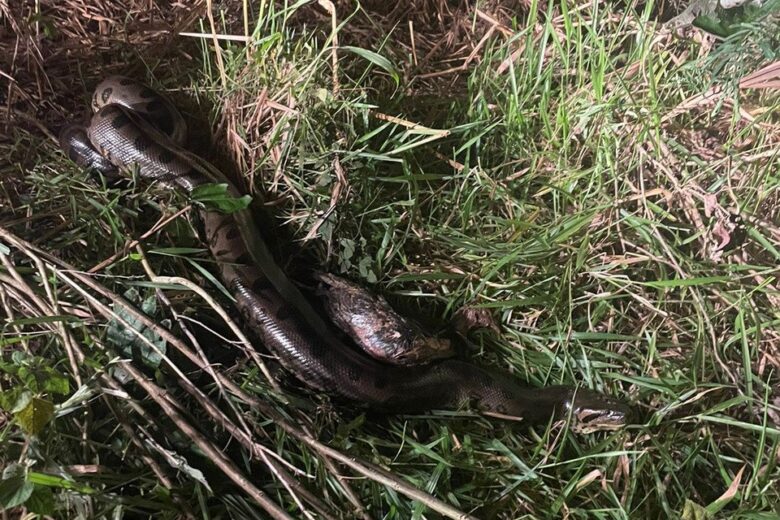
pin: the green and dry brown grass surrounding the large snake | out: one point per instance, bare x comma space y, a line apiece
576, 177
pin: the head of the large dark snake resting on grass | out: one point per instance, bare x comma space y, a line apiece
591, 411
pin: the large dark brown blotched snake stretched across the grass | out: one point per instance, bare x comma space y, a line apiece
134, 128
